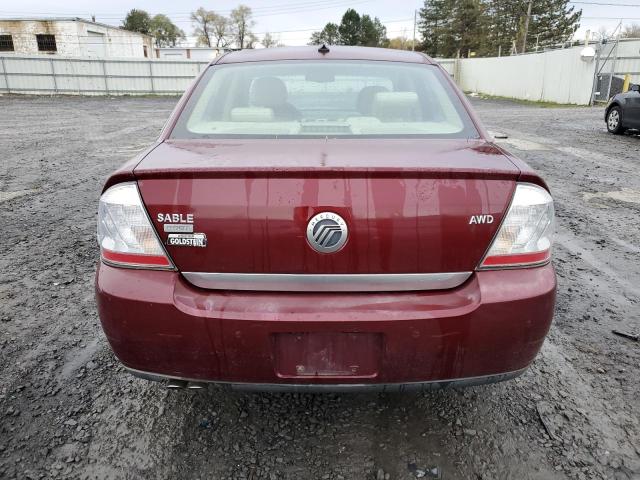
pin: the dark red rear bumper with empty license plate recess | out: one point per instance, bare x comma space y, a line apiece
489, 329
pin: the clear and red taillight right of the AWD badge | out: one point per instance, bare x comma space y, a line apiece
525, 236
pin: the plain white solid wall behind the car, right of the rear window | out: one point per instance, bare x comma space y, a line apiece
559, 76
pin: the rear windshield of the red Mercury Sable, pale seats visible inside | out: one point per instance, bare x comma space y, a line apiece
324, 99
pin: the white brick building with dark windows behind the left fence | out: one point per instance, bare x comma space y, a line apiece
71, 37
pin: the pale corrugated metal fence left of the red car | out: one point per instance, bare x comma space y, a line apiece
64, 75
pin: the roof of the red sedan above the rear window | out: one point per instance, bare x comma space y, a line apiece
335, 53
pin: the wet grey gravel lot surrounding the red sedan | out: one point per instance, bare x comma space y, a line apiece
67, 410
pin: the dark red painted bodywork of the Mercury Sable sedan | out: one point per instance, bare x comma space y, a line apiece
407, 203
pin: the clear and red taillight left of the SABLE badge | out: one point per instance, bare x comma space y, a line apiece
125, 234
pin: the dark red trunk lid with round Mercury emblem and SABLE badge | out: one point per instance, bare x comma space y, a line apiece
411, 206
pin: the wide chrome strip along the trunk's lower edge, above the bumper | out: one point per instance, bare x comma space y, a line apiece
327, 282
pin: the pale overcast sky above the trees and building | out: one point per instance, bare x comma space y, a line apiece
293, 21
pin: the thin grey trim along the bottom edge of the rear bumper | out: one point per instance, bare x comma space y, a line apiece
341, 387
